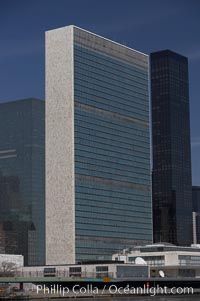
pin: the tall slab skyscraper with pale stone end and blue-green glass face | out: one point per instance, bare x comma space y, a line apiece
98, 186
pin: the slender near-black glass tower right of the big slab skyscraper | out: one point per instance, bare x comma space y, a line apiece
172, 188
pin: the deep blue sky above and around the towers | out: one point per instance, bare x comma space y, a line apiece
145, 25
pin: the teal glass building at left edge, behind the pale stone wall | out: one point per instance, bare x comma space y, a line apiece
22, 179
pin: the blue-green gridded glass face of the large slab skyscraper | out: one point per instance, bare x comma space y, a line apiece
112, 150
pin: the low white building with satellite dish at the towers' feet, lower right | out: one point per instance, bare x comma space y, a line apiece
170, 260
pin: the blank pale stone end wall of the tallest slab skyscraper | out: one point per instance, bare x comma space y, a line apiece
60, 220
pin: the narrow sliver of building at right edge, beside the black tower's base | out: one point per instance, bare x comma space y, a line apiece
196, 213
